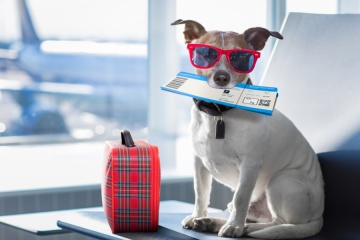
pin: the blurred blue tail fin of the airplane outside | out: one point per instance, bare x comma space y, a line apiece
28, 32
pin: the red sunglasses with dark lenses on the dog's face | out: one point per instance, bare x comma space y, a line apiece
206, 56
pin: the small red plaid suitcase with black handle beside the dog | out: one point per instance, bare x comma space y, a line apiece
131, 185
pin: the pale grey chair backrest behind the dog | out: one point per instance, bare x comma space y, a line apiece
316, 69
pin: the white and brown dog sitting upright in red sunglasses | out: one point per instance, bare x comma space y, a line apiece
269, 165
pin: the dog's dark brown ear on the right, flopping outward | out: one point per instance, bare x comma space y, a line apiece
257, 37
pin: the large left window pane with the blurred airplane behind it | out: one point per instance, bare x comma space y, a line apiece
74, 69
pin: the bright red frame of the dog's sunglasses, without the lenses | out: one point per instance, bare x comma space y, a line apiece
192, 46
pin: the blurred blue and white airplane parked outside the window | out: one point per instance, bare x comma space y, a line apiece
107, 79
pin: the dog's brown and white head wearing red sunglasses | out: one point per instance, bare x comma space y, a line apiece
224, 69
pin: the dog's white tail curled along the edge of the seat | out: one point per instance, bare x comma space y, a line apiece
289, 231
